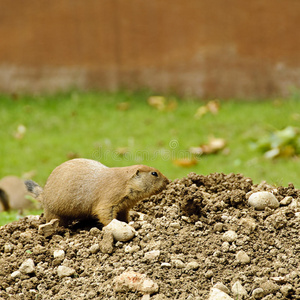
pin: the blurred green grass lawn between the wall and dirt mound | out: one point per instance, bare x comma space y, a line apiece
90, 125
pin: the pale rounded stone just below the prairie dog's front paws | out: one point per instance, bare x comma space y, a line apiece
121, 231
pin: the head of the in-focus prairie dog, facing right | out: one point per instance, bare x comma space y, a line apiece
146, 181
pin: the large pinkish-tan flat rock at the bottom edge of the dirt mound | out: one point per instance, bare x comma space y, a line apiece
135, 282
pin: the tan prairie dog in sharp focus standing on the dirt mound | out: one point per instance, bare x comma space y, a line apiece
83, 188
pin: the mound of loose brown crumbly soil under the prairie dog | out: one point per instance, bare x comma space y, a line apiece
186, 223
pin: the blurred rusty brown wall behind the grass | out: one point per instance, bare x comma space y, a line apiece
208, 48
